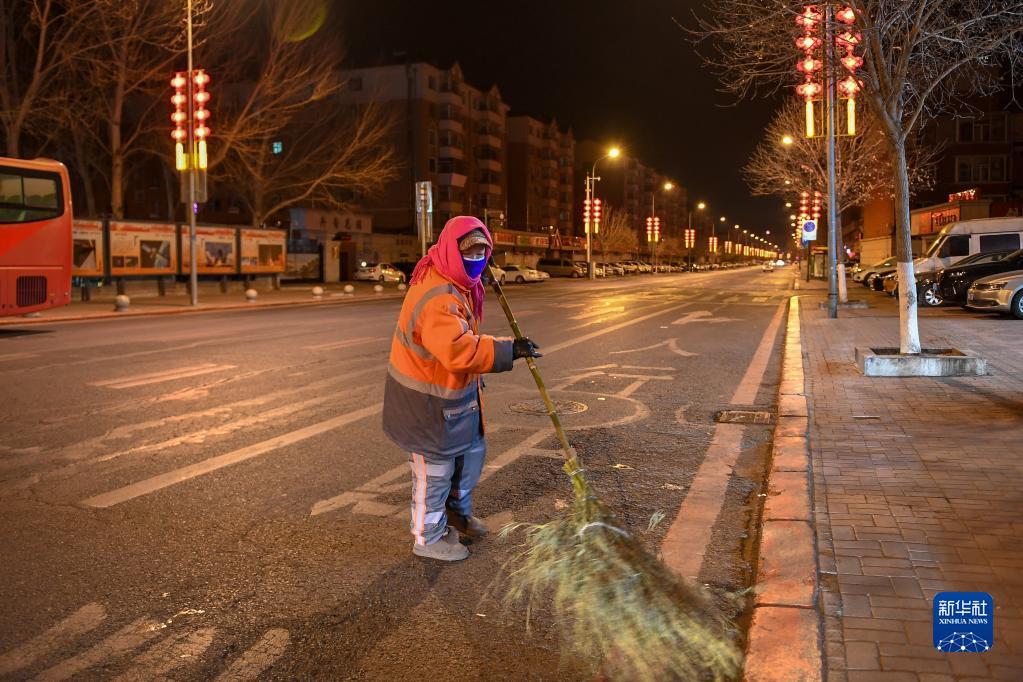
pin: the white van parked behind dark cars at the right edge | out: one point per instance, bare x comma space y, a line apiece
967, 238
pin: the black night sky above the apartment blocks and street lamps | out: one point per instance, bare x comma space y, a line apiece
614, 71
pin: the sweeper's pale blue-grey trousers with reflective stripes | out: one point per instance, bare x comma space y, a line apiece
440, 485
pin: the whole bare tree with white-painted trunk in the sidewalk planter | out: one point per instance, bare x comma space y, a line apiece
920, 58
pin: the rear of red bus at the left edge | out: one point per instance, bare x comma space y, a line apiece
35, 236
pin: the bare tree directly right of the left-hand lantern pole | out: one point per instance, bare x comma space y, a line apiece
286, 92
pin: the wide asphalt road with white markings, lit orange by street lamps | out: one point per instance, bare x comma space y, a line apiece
210, 496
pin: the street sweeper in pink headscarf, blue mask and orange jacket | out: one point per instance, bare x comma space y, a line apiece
433, 406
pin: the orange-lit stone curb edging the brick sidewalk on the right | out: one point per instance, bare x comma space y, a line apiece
786, 630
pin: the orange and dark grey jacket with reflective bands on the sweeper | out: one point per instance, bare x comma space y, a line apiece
432, 400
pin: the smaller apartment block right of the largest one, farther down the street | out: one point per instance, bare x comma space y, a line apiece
541, 176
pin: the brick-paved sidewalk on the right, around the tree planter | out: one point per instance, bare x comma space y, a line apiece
925, 496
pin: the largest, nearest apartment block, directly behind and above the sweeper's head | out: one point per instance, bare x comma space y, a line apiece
447, 131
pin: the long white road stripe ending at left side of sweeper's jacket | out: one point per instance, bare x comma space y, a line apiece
188, 473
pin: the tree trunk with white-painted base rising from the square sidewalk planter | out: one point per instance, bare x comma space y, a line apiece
909, 327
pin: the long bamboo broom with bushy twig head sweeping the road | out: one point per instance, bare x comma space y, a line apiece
616, 603
